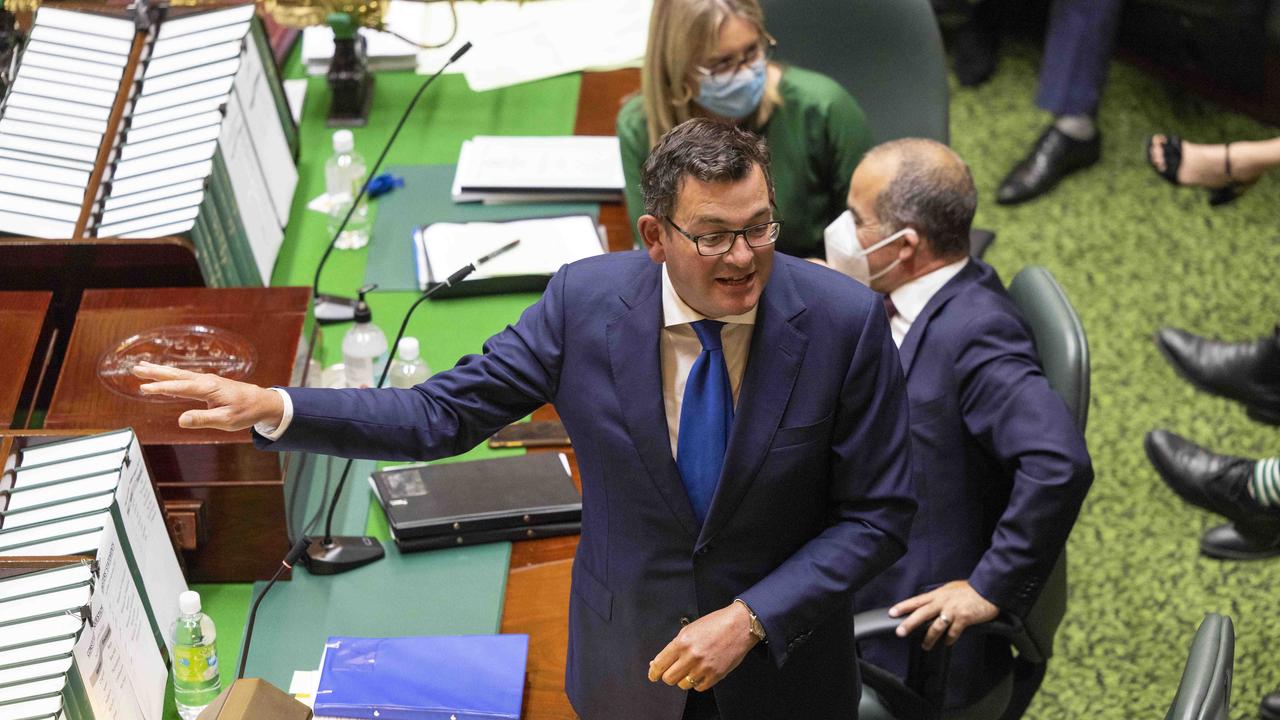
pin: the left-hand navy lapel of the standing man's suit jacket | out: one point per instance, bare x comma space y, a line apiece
636, 358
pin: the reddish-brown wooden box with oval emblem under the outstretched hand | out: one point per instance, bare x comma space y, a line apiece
220, 479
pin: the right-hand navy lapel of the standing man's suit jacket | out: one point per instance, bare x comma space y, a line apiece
772, 367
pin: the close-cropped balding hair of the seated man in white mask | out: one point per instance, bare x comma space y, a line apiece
932, 192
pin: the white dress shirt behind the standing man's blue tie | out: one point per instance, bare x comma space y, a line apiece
680, 348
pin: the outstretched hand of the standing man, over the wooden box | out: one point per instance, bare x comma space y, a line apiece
232, 405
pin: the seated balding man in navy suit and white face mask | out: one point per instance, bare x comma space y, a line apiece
1000, 467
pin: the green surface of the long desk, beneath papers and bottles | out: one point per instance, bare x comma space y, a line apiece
420, 594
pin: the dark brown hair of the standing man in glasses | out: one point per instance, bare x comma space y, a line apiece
707, 151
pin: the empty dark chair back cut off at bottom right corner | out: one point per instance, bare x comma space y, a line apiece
1205, 692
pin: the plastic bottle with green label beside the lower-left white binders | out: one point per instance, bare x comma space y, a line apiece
196, 676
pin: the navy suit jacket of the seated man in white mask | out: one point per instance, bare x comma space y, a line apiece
1000, 471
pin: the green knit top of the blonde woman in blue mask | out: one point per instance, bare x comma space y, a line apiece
817, 136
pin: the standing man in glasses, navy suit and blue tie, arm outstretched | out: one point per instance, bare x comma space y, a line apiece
742, 477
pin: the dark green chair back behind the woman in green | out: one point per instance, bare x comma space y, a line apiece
888, 54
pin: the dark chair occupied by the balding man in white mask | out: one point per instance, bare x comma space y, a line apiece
1064, 353
